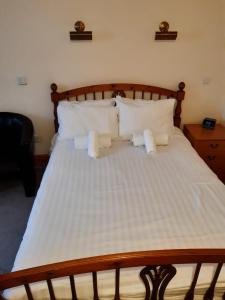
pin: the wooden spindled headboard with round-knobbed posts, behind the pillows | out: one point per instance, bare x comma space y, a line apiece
135, 91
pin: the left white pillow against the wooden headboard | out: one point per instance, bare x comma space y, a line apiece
80, 119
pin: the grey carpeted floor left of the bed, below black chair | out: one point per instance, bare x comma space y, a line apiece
14, 213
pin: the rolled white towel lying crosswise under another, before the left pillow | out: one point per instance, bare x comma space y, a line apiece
81, 141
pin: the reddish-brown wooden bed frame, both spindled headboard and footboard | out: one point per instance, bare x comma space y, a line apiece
156, 266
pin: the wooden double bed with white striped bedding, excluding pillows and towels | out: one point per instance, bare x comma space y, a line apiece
157, 222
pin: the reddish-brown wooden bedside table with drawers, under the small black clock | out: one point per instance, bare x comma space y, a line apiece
210, 145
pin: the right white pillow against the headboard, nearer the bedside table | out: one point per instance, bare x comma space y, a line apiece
155, 115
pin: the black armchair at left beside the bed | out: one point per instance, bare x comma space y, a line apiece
16, 150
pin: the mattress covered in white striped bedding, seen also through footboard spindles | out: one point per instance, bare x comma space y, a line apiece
123, 201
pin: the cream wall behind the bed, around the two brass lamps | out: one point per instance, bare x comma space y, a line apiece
35, 43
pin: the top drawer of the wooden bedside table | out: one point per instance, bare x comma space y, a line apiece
210, 148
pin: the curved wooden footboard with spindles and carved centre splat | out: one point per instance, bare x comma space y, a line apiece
157, 272
